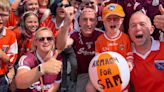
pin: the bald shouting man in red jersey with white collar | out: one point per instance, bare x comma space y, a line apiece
147, 73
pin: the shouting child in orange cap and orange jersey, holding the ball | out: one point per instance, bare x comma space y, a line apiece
113, 38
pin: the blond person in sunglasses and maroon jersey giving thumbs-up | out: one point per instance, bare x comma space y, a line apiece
39, 70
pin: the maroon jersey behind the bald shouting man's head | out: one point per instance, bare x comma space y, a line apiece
150, 8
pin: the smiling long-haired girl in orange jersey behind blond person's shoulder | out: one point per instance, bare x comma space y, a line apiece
25, 33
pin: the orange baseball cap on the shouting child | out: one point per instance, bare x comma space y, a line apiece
113, 9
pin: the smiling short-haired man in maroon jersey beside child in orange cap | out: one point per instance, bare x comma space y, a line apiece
84, 45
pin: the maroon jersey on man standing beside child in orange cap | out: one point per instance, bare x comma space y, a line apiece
84, 48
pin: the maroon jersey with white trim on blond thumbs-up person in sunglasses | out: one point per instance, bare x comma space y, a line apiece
31, 60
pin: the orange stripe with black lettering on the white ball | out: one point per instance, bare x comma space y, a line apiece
109, 77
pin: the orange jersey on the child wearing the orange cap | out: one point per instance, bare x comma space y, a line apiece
120, 44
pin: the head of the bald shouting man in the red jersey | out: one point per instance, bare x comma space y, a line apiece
140, 29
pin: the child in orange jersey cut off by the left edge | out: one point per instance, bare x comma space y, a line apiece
8, 47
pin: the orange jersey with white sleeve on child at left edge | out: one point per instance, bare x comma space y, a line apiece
8, 44
